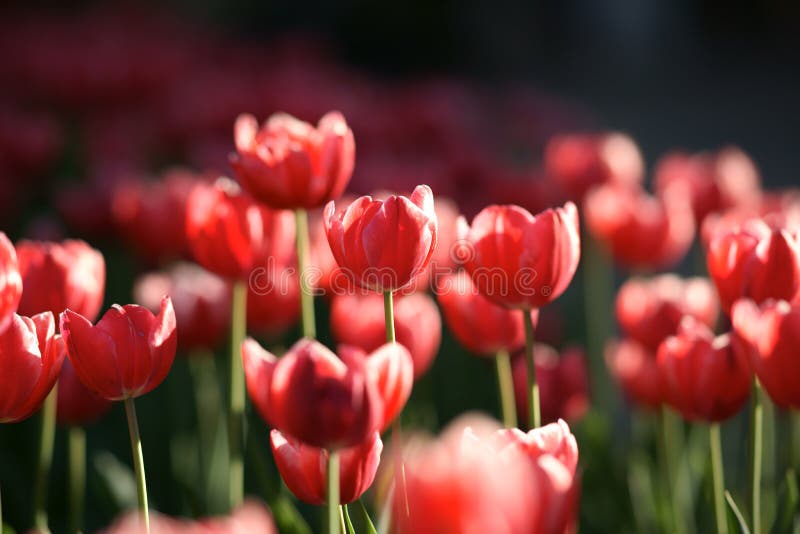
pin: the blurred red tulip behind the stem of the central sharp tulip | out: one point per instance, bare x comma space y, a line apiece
358, 320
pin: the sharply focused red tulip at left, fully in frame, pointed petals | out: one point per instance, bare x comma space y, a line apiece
126, 354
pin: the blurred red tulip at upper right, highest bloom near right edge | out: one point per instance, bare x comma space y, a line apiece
710, 181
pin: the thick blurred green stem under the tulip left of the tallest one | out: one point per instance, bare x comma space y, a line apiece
236, 397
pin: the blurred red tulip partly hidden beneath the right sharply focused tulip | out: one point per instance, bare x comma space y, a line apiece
479, 324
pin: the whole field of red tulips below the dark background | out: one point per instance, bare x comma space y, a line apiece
241, 295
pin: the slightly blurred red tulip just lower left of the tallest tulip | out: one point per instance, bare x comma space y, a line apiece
230, 234
